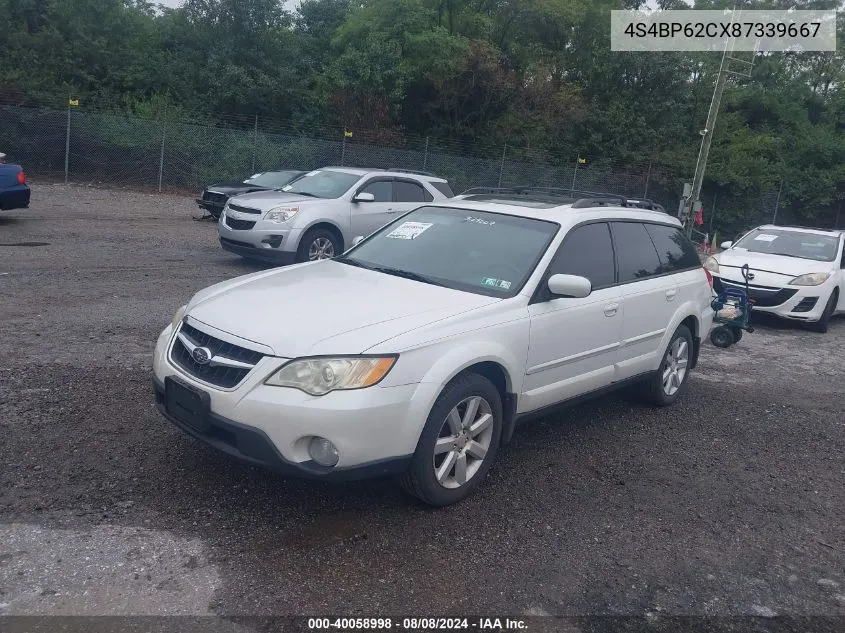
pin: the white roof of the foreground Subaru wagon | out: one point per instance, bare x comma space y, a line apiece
562, 213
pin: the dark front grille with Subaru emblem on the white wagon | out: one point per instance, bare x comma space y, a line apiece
219, 375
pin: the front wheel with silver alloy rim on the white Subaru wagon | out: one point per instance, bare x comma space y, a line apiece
449, 447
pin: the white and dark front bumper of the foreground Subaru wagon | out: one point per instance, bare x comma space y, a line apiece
375, 430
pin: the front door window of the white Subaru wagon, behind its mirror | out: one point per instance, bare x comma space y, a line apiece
587, 251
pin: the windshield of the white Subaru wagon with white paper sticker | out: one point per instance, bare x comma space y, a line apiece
485, 253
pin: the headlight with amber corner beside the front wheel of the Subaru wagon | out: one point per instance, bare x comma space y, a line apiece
319, 376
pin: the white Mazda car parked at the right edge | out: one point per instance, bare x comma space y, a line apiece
796, 273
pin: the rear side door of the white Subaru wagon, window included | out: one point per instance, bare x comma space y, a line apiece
649, 294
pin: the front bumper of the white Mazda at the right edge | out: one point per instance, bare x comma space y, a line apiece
798, 303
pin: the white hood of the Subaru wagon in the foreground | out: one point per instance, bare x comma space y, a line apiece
326, 307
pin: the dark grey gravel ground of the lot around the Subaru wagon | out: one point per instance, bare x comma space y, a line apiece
730, 503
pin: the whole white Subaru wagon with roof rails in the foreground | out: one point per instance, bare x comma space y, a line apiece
416, 352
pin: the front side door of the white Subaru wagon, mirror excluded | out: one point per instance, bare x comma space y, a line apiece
574, 342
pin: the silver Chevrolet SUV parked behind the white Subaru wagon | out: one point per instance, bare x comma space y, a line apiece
318, 215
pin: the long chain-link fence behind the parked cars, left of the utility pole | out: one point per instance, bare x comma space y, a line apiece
89, 146
